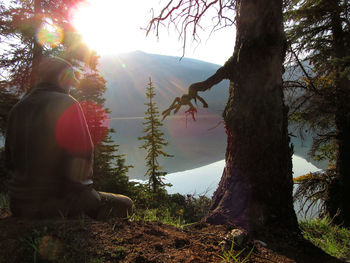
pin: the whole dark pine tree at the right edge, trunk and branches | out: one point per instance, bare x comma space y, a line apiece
320, 32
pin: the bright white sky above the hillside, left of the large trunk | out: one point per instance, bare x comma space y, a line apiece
112, 27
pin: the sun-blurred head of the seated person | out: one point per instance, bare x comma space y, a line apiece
57, 71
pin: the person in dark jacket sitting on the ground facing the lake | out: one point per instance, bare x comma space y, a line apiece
49, 151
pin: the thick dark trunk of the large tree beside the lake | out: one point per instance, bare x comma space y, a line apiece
255, 190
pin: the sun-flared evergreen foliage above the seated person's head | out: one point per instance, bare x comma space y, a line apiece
30, 29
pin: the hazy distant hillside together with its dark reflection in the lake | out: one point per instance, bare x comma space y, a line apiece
193, 144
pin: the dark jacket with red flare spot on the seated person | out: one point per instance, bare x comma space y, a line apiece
48, 145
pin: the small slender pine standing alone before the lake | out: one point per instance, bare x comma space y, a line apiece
153, 142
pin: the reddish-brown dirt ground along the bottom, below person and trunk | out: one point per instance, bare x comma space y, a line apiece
86, 240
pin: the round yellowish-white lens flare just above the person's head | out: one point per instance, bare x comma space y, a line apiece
49, 35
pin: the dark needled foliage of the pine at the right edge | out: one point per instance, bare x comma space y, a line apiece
319, 31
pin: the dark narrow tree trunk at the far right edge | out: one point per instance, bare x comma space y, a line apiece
340, 190
